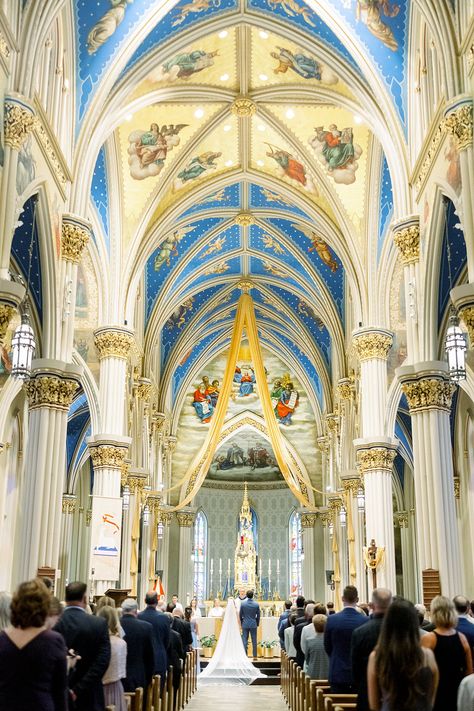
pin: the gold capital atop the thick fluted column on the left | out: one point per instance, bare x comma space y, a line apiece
52, 384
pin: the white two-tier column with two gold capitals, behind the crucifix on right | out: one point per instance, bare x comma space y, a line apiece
376, 452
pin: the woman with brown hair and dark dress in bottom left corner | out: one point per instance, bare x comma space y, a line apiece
33, 670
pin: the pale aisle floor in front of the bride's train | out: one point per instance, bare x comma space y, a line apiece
244, 698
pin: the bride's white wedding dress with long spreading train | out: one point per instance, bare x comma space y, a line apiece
229, 663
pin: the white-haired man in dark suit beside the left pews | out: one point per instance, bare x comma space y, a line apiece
139, 639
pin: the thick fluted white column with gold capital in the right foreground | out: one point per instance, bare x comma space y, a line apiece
429, 392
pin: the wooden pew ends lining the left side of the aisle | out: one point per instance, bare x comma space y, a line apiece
166, 698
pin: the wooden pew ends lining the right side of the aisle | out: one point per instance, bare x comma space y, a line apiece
302, 693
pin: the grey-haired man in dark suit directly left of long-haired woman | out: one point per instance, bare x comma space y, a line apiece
363, 641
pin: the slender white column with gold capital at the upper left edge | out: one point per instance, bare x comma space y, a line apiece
19, 122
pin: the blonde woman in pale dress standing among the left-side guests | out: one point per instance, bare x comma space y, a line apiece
117, 669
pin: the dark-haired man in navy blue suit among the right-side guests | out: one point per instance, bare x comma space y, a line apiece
337, 641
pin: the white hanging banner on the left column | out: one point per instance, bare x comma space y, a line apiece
106, 535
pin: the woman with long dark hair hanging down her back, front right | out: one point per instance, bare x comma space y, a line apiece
401, 676
